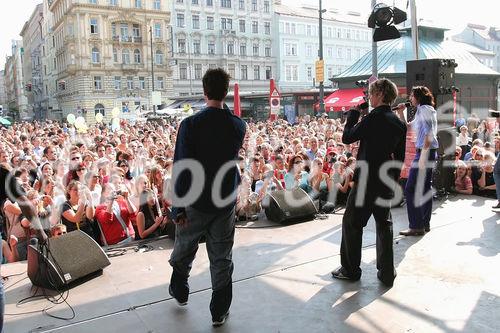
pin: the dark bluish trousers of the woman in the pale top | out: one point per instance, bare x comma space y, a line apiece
419, 210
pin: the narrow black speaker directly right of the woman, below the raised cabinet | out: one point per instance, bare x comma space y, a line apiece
443, 175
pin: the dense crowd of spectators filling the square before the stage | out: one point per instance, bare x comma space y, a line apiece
114, 184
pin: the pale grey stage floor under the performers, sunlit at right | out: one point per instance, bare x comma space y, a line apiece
448, 281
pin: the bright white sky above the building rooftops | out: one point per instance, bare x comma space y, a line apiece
450, 13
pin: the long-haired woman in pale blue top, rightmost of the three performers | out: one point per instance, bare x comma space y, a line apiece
425, 126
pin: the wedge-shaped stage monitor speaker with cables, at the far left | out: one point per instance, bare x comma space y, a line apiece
71, 259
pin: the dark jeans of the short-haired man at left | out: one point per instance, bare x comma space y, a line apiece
219, 232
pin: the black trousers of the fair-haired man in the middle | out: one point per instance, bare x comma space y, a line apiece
355, 219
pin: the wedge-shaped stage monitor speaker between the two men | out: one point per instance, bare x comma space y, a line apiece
289, 206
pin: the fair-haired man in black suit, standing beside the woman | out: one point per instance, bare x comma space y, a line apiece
382, 139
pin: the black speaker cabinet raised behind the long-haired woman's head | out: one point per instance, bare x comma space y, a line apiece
439, 76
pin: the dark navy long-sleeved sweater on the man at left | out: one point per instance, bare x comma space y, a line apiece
212, 137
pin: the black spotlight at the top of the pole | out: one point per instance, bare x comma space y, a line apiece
382, 19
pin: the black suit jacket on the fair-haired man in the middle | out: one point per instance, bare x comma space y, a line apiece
382, 137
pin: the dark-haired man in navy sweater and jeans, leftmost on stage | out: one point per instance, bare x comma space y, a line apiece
212, 138
